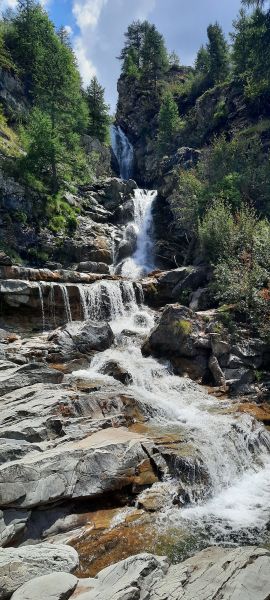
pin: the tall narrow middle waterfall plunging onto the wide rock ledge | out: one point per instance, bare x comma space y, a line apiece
142, 261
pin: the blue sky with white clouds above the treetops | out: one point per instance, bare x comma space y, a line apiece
97, 29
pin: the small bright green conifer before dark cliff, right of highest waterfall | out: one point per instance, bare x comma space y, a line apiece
168, 122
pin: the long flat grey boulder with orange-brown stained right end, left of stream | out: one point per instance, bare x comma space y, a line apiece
73, 469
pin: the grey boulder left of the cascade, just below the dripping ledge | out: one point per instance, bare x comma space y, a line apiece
79, 338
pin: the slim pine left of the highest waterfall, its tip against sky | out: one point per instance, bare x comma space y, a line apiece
99, 118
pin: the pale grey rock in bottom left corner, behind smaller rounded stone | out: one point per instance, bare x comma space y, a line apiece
19, 565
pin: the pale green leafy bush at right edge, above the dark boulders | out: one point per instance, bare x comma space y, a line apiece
239, 247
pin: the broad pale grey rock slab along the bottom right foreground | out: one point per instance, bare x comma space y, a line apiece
238, 574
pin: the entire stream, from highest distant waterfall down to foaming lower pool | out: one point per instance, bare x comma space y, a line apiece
230, 503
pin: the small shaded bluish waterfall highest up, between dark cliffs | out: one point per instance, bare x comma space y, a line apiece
123, 151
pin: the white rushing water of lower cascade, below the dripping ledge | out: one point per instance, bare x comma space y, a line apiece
232, 449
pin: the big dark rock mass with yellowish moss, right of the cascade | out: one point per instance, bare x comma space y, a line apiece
198, 345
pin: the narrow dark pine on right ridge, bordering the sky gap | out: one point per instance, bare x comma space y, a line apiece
218, 53
